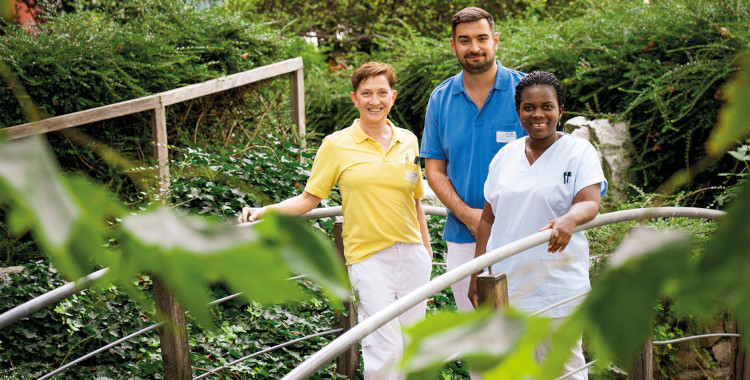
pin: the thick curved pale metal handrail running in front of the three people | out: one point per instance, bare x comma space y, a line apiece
355, 334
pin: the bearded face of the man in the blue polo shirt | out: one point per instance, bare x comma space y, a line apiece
474, 46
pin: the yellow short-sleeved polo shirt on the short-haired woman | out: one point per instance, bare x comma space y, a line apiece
377, 188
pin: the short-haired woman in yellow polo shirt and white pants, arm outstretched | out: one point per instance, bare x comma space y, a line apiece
386, 243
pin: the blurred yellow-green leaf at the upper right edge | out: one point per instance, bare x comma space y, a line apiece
733, 122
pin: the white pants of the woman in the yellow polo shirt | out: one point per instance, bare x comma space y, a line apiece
379, 281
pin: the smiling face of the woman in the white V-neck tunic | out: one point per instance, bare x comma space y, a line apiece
539, 111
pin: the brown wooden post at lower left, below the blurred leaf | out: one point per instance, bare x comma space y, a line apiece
175, 351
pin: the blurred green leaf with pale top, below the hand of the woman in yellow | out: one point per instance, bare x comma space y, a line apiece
189, 253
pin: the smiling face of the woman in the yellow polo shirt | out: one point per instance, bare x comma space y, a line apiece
374, 98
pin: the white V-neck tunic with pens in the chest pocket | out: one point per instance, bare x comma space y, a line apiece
526, 197
